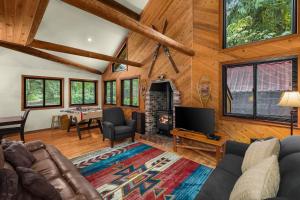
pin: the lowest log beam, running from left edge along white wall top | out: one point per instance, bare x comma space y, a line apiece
47, 56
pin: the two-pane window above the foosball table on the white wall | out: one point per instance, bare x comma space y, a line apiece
83, 92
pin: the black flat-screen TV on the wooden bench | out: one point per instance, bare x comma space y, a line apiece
195, 119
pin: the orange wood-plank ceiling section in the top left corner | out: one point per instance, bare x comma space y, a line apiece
20, 19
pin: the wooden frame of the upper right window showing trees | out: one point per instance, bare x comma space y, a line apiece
223, 21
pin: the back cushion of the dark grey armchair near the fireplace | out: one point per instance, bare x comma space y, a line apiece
115, 116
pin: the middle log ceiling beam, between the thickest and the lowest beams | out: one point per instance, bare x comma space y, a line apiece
79, 52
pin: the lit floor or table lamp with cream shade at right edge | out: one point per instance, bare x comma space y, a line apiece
290, 99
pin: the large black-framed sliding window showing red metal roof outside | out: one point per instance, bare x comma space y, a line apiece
253, 90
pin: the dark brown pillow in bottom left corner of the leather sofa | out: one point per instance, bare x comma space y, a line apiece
8, 184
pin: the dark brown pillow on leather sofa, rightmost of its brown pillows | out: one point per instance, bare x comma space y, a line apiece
37, 185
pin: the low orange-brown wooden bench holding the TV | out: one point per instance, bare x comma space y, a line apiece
217, 146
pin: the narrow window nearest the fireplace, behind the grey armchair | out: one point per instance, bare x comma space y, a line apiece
130, 92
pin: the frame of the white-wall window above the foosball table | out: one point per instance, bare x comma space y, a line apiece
83, 81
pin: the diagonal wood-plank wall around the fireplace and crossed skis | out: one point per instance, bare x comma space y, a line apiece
179, 14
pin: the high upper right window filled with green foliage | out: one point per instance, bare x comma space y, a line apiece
247, 21
